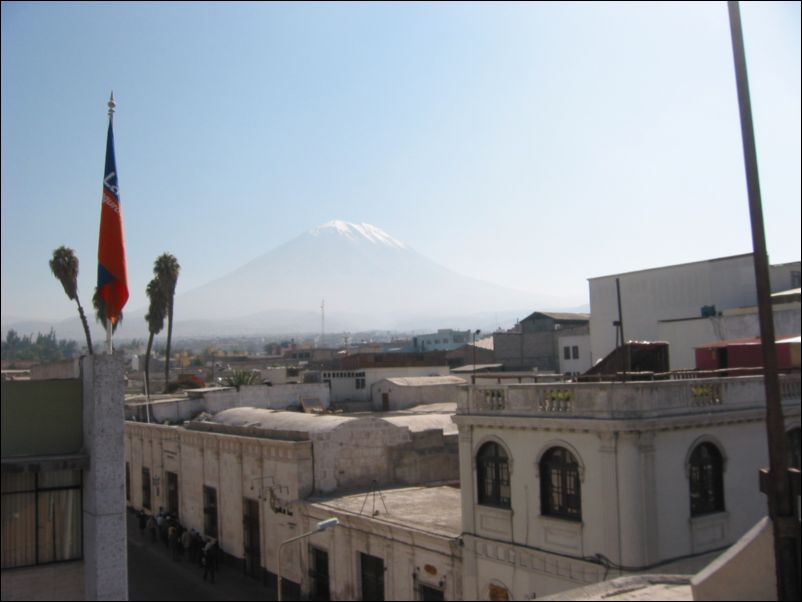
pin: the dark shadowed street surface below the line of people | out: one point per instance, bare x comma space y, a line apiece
154, 575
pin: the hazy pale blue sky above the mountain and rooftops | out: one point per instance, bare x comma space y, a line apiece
531, 145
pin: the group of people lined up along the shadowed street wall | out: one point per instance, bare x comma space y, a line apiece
182, 542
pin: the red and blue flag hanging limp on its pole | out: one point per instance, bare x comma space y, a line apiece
112, 274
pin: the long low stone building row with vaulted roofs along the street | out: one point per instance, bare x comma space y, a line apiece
253, 478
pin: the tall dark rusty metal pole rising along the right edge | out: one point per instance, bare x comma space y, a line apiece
778, 487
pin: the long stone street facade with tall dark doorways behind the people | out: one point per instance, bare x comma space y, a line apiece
277, 473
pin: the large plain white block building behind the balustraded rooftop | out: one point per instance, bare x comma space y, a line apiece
658, 296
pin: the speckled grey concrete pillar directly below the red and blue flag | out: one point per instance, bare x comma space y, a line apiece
105, 537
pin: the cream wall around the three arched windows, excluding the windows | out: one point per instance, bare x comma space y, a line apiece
634, 488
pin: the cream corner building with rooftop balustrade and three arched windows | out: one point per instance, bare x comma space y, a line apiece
568, 484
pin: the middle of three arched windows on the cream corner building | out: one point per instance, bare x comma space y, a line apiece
559, 485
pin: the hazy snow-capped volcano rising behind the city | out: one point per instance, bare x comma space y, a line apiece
368, 279
